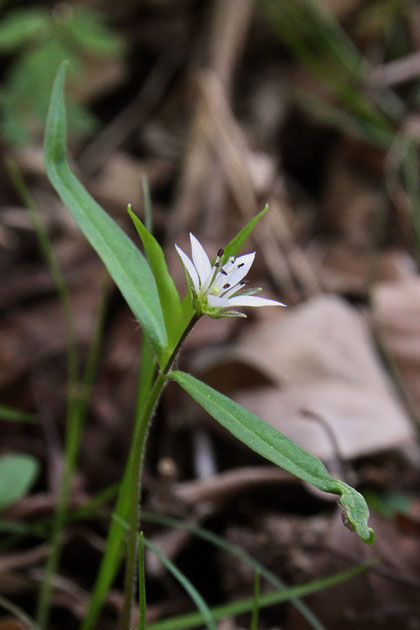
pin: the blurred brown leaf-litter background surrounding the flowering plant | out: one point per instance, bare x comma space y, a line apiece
213, 108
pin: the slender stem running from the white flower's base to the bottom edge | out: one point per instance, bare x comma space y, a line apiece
139, 448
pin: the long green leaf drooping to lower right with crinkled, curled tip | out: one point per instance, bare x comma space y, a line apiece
277, 448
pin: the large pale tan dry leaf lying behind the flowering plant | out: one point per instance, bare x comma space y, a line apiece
317, 358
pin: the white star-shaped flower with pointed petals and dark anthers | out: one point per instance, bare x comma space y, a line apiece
217, 287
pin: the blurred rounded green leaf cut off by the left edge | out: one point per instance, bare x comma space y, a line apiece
18, 472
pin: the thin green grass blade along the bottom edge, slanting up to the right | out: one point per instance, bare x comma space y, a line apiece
194, 620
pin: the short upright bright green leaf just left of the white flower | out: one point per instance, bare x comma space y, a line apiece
169, 297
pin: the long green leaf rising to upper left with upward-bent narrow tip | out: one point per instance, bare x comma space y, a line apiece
125, 263
